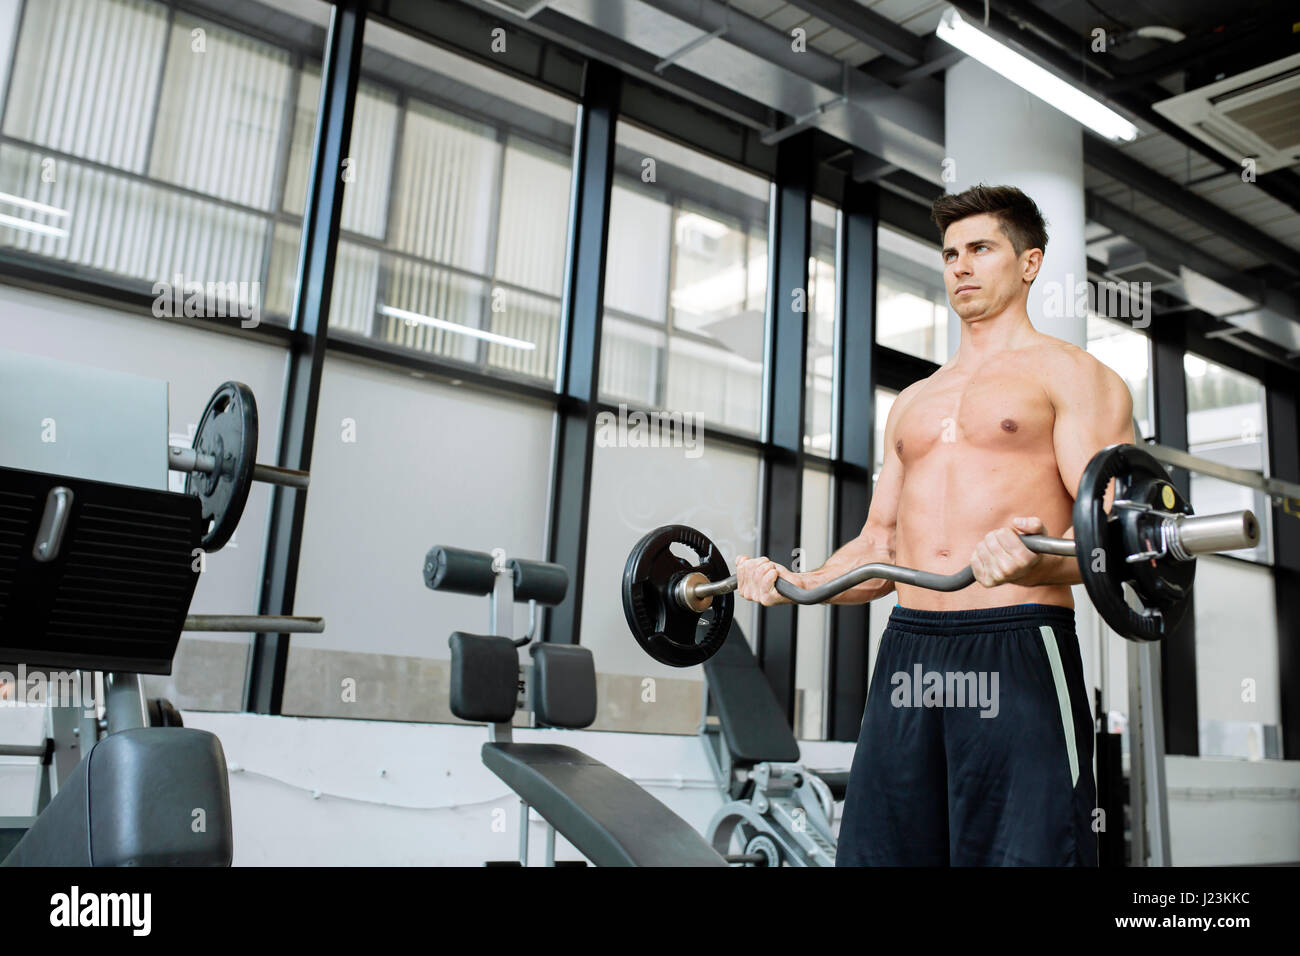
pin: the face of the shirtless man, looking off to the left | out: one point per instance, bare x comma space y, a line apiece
982, 272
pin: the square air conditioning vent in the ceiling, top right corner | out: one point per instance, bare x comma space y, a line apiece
1249, 116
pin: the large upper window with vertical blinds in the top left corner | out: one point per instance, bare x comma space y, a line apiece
142, 144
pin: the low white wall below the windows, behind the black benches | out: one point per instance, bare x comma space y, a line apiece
419, 795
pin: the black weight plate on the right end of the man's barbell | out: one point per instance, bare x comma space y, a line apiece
1163, 586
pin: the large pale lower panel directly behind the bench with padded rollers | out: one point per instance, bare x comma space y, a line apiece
387, 633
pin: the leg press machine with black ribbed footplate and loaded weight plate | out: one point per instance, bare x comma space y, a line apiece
98, 570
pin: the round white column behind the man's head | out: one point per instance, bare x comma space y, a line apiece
999, 135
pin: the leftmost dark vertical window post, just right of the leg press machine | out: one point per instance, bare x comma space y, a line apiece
265, 690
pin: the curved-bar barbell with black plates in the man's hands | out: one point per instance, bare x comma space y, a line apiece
1147, 544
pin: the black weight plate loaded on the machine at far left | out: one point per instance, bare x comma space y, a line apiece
228, 431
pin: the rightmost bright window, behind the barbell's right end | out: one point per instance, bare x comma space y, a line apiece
1225, 423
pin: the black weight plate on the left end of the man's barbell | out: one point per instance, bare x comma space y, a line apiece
665, 630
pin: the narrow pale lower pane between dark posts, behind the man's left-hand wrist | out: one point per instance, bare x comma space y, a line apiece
813, 621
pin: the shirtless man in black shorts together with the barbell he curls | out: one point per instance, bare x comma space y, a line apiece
982, 462
